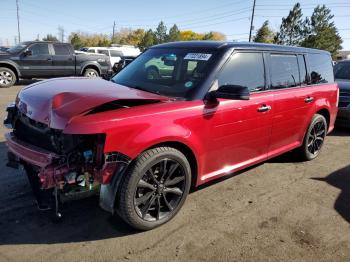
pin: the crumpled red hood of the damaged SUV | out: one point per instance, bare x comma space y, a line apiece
56, 101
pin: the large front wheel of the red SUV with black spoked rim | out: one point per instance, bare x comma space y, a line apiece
150, 197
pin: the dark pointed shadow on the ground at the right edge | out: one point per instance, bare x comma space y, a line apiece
340, 179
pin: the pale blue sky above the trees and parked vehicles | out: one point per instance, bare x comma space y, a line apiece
231, 17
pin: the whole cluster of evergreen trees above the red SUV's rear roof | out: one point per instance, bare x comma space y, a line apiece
317, 31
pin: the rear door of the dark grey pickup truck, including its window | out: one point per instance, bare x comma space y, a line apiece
63, 60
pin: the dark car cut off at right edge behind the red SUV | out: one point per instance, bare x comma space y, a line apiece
342, 76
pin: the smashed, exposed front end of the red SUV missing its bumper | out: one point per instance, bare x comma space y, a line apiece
71, 175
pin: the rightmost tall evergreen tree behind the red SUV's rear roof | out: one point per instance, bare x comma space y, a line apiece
323, 33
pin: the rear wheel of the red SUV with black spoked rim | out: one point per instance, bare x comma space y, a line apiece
314, 138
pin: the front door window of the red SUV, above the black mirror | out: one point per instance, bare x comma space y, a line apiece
244, 69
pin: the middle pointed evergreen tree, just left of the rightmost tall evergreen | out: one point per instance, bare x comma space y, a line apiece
292, 29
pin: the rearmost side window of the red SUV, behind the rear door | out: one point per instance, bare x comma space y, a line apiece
321, 69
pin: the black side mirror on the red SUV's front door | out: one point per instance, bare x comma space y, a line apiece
234, 92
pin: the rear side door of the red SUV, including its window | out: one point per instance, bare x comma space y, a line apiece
293, 101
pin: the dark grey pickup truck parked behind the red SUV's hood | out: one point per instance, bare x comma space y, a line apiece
49, 59
